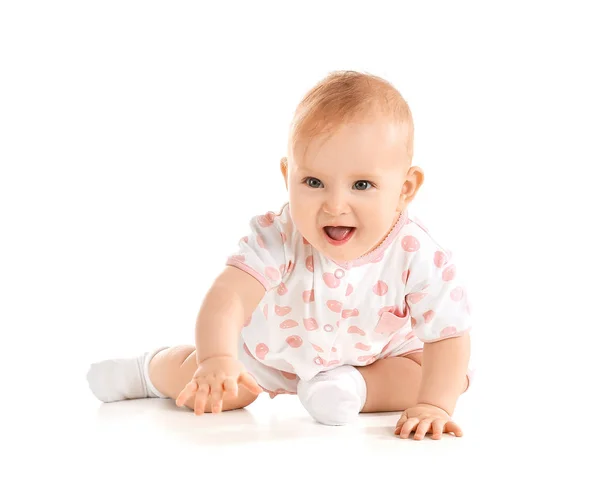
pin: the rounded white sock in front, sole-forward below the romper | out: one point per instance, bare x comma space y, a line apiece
334, 397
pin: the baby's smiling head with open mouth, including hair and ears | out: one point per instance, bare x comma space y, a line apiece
349, 161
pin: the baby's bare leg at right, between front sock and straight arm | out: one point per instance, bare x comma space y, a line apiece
406, 371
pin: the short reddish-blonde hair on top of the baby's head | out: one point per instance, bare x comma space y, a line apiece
343, 96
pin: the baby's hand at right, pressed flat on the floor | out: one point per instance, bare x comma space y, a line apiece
426, 418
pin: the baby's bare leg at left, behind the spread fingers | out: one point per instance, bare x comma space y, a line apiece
171, 369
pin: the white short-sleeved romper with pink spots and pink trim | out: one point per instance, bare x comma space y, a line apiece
318, 314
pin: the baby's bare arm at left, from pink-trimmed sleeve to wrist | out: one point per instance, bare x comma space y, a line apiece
232, 298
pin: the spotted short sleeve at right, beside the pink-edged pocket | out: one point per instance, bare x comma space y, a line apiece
435, 295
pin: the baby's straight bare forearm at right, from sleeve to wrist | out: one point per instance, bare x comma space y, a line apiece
445, 365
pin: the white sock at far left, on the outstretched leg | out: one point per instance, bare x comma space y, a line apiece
119, 379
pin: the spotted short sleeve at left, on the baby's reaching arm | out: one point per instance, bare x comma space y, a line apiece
262, 252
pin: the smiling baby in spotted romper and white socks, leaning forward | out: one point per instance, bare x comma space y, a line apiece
342, 297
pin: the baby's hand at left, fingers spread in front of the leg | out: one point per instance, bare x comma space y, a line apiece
213, 377
